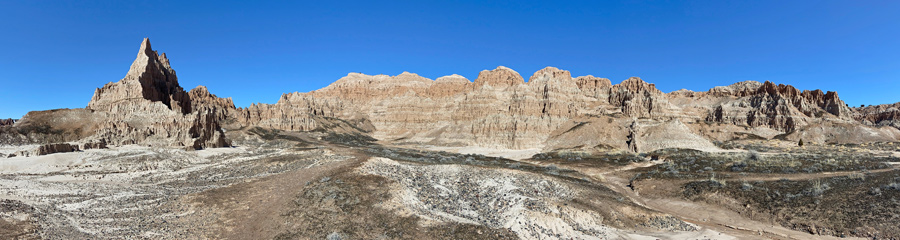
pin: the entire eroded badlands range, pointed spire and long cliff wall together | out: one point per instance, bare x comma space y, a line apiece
499, 109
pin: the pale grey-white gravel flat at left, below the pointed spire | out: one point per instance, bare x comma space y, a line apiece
133, 192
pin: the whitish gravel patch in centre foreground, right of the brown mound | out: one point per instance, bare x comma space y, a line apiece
533, 206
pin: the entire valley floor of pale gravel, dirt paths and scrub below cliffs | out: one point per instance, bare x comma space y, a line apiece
290, 185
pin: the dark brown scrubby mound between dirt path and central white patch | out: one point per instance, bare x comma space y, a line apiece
348, 204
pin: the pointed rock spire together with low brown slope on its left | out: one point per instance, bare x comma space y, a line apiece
145, 107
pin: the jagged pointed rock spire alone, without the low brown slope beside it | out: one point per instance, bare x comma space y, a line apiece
148, 106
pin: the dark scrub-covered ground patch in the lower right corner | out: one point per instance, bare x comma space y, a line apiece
837, 206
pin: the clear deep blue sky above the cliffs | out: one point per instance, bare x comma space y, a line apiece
53, 54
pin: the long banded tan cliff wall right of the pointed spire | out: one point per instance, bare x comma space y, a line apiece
552, 110
